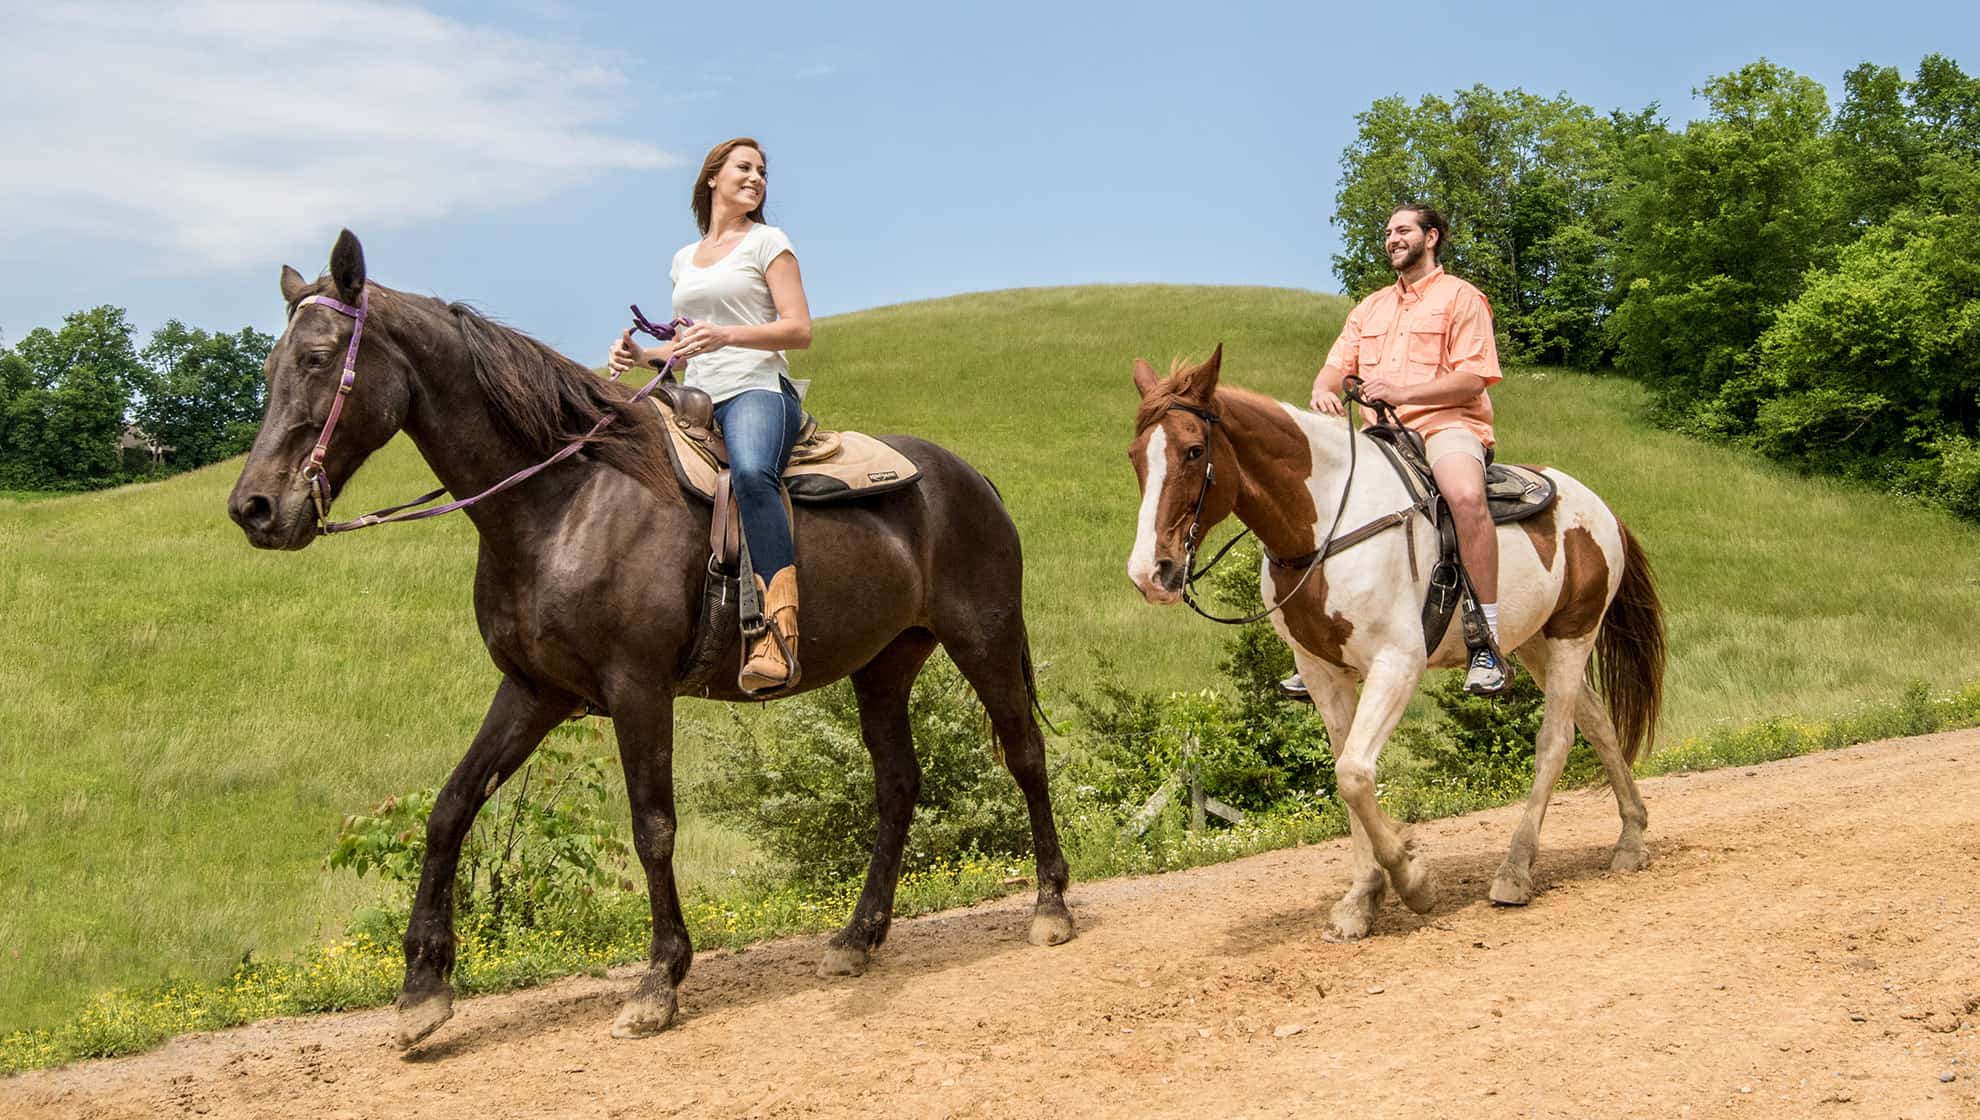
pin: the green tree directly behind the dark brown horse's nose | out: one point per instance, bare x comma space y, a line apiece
201, 395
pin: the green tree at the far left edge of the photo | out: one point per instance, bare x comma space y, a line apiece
66, 399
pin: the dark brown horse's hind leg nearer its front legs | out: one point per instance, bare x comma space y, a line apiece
884, 688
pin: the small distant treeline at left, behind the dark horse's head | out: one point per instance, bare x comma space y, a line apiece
70, 397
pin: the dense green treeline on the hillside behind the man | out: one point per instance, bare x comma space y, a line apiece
1783, 274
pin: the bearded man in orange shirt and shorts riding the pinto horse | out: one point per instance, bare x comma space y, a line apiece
1427, 347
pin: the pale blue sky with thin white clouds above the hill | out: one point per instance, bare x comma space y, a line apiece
536, 157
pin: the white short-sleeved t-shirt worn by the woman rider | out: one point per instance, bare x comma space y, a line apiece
734, 292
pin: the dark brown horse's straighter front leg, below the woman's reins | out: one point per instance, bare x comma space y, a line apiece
644, 727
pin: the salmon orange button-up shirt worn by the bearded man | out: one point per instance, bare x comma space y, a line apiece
1415, 335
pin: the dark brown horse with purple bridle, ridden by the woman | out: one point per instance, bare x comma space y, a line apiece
589, 589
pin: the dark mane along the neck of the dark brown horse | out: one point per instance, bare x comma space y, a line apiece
545, 401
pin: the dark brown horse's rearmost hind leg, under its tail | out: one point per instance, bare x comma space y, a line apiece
995, 666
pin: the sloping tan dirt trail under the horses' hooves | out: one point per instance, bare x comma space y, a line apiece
1807, 943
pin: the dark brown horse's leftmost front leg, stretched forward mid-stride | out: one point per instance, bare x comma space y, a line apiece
516, 723
